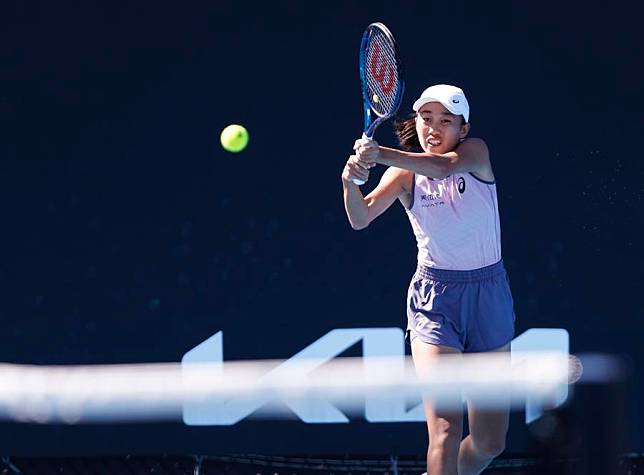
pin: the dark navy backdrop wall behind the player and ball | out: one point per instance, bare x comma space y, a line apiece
128, 235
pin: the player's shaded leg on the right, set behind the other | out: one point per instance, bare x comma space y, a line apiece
487, 436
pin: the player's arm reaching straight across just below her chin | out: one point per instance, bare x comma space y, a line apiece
471, 155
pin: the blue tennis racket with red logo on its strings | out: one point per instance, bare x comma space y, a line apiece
380, 77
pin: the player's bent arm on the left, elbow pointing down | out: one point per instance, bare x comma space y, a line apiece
362, 210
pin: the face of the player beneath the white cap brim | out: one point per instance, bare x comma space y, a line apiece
439, 131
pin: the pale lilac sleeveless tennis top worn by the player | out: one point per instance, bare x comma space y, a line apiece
456, 222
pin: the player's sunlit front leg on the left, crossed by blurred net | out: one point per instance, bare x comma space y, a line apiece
445, 428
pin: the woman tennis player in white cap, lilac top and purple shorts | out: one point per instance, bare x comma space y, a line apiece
459, 299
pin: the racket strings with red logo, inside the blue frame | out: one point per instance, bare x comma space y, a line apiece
381, 74
